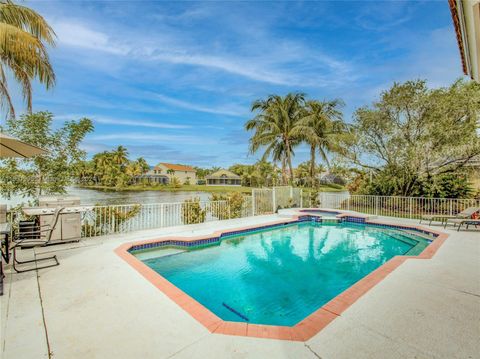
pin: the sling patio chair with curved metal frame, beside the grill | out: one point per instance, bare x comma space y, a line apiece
35, 236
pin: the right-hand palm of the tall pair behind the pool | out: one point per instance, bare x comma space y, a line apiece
320, 124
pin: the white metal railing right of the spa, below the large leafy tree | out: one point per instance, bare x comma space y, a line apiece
396, 206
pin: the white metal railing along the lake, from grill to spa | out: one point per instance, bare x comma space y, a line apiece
111, 219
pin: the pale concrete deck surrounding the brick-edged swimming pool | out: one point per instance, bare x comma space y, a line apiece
96, 306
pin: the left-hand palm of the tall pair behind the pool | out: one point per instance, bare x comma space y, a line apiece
275, 127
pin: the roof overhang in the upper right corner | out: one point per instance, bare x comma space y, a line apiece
466, 20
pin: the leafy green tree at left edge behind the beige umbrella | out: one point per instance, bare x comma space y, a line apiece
48, 173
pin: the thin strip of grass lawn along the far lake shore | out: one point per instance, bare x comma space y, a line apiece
200, 188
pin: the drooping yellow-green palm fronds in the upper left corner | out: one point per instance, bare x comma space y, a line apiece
24, 35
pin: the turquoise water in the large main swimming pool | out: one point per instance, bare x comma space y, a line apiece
279, 276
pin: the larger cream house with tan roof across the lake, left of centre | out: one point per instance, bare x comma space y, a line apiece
164, 172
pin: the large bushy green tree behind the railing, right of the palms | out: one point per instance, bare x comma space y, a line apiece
414, 135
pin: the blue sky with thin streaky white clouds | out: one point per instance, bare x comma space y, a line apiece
174, 81
